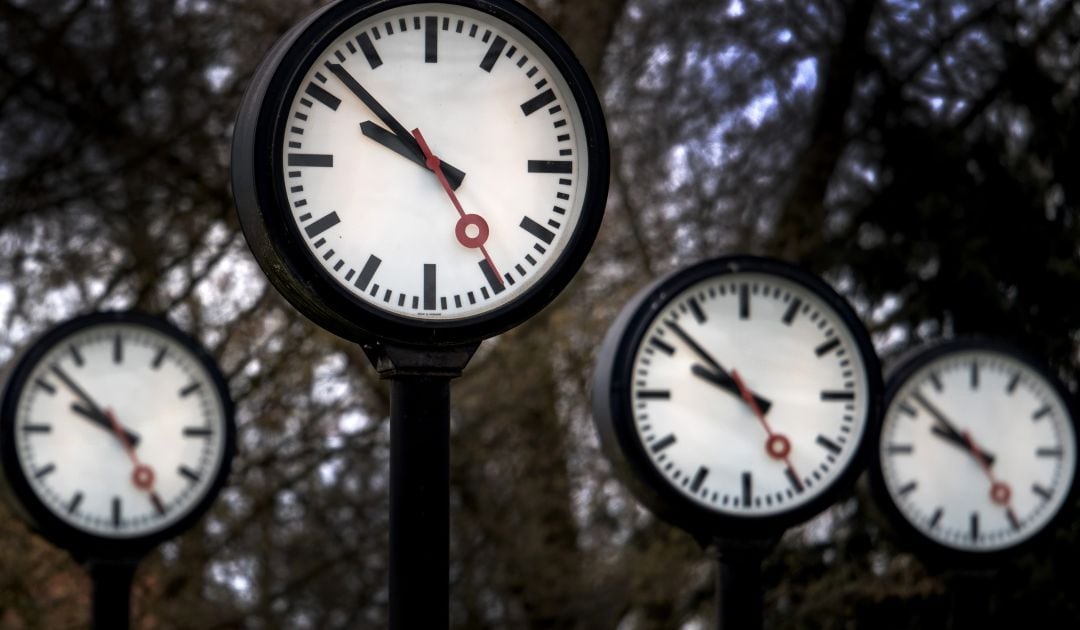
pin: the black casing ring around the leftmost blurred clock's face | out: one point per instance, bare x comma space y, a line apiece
20, 492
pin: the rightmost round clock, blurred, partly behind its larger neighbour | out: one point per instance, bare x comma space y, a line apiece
978, 451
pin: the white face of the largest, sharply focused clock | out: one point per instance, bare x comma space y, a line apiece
489, 103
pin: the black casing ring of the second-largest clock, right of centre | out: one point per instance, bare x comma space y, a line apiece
613, 410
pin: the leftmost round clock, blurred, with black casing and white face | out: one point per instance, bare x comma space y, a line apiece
116, 433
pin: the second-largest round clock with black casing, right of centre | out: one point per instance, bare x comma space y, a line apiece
736, 397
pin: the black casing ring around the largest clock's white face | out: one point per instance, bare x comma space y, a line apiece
275, 239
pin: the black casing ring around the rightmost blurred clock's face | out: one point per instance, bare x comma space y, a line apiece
908, 534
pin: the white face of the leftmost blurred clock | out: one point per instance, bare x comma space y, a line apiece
119, 431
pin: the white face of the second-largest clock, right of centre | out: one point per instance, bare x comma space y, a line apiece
768, 339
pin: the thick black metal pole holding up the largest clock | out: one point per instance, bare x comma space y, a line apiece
420, 503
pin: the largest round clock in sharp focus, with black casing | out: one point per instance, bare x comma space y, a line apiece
422, 172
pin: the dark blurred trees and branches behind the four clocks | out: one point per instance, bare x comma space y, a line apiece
923, 156
